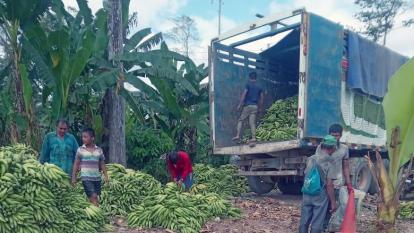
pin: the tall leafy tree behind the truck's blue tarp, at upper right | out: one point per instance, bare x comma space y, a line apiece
378, 17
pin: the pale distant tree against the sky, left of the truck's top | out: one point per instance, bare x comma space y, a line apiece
184, 32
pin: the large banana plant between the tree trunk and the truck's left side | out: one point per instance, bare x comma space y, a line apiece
175, 99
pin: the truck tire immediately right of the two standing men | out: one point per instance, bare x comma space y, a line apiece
360, 174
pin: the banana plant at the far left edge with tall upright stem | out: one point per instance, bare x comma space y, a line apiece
17, 16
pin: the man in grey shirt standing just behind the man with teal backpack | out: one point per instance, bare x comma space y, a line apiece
341, 163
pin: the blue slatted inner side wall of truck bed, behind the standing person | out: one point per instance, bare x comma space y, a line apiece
231, 68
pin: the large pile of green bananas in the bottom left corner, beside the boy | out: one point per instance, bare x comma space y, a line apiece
39, 198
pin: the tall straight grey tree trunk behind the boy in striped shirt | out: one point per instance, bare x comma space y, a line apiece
113, 113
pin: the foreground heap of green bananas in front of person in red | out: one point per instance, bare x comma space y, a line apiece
179, 211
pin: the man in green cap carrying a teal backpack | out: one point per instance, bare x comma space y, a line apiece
318, 188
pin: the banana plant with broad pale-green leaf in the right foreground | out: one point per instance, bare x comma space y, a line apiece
399, 121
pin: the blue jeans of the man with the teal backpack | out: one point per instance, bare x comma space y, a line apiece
313, 213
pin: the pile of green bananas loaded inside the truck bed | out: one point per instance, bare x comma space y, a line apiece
280, 121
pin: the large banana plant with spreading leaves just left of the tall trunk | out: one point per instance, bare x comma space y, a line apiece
61, 47
